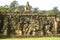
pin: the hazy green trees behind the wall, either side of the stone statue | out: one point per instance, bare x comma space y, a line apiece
15, 7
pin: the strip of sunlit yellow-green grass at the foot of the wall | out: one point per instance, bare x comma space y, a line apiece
40, 38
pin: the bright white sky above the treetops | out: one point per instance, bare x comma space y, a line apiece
41, 4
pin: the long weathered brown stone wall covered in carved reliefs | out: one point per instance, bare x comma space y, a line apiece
26, 24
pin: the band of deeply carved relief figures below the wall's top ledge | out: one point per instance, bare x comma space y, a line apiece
27, 25
